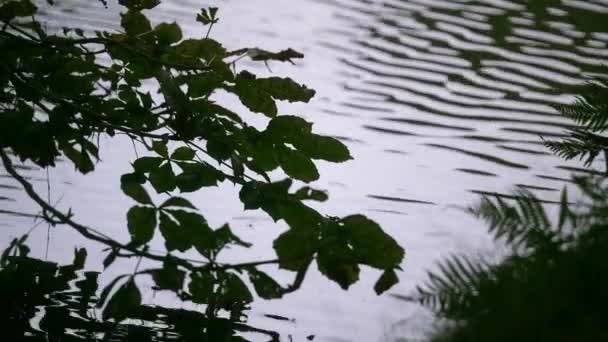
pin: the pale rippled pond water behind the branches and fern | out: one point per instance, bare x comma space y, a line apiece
437, 102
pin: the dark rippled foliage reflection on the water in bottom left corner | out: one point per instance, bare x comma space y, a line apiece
43, 301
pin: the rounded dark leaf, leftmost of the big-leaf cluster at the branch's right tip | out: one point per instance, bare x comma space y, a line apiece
295, 248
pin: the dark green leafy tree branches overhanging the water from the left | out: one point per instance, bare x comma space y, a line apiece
61, 91
